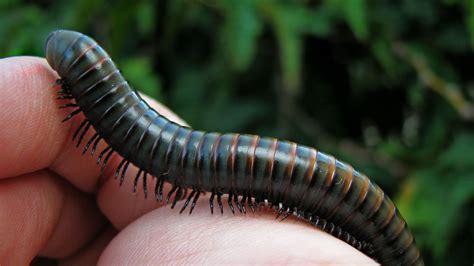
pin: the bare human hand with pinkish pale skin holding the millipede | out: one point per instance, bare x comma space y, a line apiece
55, 202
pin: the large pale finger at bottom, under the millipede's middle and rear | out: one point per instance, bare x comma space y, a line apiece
164, 236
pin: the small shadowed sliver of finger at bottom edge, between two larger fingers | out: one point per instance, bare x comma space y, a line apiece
90, 254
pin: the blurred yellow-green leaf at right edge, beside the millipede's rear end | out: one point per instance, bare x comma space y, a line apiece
440, 193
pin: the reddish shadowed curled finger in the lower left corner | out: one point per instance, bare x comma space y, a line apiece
41, 214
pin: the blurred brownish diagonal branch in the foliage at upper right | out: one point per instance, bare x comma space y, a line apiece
448, 90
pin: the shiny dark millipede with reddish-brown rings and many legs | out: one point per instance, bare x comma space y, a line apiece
248, 171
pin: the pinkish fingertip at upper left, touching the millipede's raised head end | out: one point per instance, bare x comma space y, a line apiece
29, 117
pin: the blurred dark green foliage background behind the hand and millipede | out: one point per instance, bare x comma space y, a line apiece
385, 85
